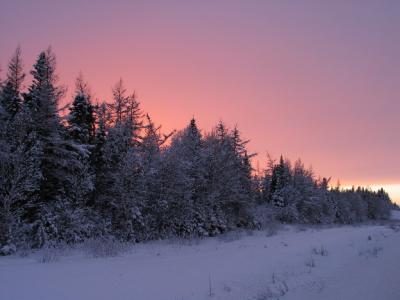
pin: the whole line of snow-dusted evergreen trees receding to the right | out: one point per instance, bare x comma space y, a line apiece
106, 169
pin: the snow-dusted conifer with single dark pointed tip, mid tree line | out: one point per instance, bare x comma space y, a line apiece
183, 173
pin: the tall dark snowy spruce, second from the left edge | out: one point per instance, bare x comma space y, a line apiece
60, 165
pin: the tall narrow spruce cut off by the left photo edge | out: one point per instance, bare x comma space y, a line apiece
10, 137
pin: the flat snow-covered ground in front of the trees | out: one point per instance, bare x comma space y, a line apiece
346, 262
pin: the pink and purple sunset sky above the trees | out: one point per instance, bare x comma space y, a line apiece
319, 80
